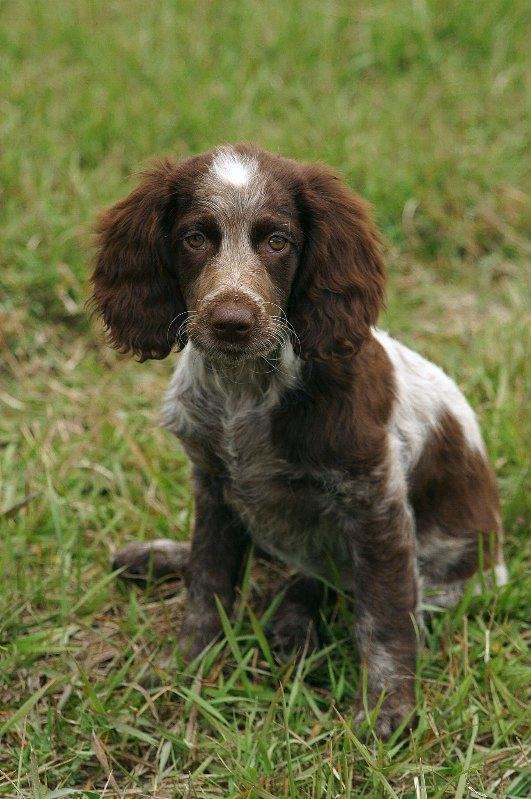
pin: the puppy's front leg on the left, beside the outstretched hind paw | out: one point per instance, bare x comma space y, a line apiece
219, 543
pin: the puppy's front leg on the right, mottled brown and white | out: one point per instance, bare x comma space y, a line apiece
386, 598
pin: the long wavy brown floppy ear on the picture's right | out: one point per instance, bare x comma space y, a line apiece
339, 288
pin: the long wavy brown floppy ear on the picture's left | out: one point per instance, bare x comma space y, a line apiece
135, 288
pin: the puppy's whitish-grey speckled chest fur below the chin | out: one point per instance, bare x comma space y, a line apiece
226, 420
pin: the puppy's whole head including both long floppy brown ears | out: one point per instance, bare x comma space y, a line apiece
235, 250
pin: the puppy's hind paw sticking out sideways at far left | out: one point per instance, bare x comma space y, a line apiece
153, 559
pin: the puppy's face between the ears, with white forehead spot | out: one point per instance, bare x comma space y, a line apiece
237, 246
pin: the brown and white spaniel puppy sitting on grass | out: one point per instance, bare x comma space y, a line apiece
312, 433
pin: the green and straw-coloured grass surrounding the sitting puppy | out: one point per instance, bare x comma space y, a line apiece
420, 105
